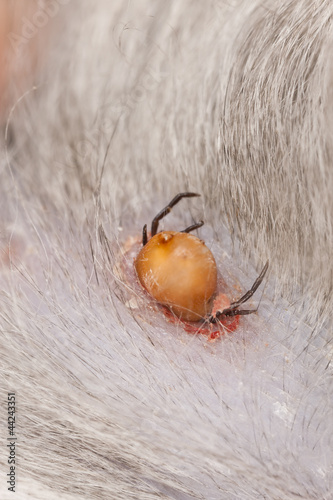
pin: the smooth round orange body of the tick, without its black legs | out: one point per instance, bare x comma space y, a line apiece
179, 271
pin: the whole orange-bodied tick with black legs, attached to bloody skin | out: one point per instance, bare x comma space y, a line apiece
179, 271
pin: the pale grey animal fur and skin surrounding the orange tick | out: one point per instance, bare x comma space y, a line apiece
137, 102
